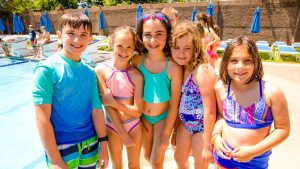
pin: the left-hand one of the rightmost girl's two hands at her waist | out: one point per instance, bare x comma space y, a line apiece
221, 148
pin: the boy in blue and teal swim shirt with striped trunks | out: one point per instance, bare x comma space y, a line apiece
67, 102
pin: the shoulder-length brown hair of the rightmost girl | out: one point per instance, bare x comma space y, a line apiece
252, 50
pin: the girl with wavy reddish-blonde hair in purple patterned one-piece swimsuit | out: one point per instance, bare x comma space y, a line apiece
197, 109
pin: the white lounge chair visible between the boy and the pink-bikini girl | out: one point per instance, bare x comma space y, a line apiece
91, 54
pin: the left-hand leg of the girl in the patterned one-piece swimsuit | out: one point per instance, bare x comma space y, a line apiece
183, 147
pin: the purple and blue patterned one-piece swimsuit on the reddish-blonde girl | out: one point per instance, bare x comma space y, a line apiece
191, 110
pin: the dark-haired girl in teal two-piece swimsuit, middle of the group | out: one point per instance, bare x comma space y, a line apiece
162, 81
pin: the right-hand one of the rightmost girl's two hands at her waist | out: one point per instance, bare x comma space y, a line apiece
242, 154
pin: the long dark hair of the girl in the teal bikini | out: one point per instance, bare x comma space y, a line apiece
139, 33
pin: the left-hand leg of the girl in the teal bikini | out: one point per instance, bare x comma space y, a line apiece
147, 139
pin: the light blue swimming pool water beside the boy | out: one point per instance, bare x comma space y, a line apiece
19, 140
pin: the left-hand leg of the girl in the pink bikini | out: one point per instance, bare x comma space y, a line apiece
115, 146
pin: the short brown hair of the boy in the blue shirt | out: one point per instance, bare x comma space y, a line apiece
75, 20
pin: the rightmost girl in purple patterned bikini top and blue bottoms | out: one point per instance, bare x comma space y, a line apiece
242, 136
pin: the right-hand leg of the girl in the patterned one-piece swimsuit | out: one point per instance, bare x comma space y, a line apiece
197, 147
